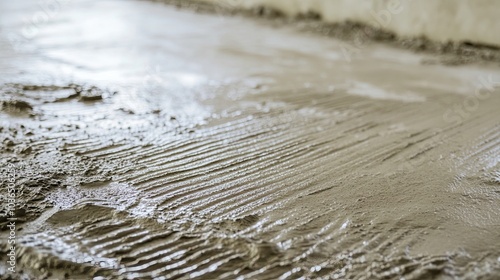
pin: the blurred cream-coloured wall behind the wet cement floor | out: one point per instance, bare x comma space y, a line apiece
442, 20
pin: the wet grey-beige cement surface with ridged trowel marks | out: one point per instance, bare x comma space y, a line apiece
150, 142
